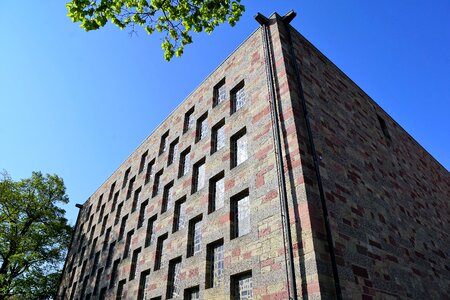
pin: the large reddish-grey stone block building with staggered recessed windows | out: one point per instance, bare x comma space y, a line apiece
239, 193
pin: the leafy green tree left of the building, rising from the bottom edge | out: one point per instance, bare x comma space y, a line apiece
34, 236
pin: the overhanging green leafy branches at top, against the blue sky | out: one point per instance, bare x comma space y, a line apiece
176, 19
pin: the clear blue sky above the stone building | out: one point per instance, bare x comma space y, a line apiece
77, 104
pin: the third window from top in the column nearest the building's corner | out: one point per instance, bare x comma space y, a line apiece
240, 214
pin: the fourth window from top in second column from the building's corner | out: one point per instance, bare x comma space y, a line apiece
214, 264
